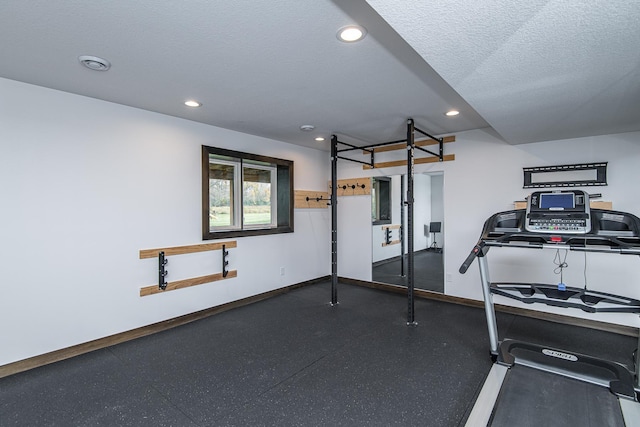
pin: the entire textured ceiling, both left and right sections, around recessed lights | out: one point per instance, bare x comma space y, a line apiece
534, 71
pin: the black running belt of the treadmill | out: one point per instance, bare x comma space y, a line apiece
530, 397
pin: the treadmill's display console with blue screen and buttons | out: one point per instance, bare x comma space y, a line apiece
560, 212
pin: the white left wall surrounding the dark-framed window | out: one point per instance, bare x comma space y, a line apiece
87, 184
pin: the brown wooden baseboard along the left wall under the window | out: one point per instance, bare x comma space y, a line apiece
76, 350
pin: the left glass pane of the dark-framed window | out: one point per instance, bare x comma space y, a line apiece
221, 201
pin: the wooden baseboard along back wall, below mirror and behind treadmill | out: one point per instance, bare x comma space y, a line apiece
552, 317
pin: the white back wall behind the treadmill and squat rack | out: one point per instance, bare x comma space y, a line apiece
487, 177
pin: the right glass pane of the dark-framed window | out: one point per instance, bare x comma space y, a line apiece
257, 198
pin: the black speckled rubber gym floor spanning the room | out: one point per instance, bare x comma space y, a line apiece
291, 360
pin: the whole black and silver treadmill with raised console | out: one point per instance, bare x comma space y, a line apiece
551, 386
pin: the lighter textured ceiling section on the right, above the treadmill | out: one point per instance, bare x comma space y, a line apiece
536, 70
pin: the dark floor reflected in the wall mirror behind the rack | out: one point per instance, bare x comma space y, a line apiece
428, 271
